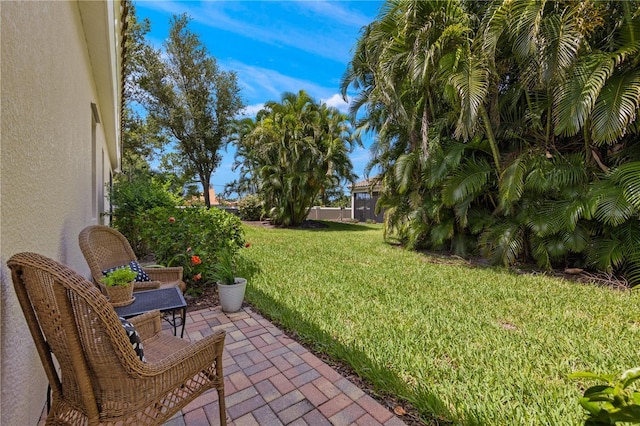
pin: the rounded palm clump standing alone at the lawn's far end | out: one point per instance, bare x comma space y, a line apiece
295, 150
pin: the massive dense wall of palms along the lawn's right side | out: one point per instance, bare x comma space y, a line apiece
497, 124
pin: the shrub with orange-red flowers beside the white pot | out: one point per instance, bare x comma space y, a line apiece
191, 237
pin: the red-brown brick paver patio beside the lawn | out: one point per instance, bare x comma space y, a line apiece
271, 379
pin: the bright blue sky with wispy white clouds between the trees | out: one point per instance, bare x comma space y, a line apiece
274, 47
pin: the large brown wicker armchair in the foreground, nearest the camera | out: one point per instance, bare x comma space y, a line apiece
101, 380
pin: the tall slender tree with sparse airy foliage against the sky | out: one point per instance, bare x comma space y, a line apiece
186, 93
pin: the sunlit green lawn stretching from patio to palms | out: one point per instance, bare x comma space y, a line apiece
464, 345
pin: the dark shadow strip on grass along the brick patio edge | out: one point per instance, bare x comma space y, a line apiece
383, 381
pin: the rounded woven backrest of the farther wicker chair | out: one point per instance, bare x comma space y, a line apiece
103, 248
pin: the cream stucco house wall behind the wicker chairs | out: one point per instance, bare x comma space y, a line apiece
48, 84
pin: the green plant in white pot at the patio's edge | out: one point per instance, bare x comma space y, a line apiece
230, 288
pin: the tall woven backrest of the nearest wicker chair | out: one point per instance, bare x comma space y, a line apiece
70, 318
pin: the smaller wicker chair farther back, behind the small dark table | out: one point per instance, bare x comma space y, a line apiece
105, 248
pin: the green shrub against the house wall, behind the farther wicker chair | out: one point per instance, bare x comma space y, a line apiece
131, 197
